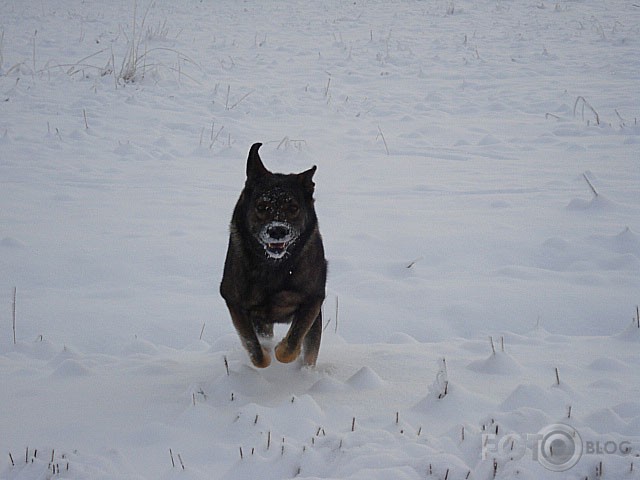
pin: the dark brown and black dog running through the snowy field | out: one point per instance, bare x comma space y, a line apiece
275, 270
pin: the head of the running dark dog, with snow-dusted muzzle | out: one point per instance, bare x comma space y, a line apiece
277, 209
